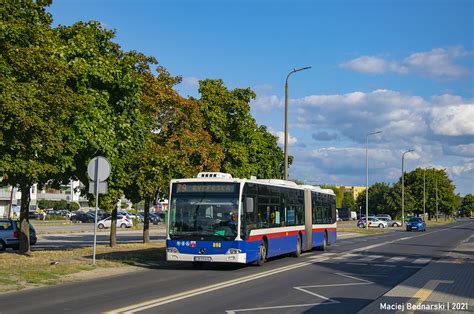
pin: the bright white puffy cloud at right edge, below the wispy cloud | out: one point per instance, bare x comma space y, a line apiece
453, 120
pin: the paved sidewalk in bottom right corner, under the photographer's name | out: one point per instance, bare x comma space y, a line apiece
446, 285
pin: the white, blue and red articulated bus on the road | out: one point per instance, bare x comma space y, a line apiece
217, 218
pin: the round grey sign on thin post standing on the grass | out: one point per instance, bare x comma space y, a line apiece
98, 170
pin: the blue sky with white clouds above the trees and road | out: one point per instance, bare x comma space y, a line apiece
404, 67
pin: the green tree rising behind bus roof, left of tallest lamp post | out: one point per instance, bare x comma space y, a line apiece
249, 149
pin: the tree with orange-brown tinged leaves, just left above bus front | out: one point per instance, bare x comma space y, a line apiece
181, 148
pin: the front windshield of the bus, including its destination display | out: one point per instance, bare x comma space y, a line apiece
204, 211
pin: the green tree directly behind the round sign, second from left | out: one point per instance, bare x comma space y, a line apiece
111, 117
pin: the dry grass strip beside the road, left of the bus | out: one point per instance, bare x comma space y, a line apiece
49, 267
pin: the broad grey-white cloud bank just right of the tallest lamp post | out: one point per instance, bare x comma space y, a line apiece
356, 114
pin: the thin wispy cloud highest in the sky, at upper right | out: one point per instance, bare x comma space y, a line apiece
437, 63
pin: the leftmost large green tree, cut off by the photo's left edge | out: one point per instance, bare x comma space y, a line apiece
35, 102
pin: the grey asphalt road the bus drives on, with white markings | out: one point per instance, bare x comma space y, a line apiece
345, 279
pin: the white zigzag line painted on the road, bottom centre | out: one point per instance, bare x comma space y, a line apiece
304, 289
